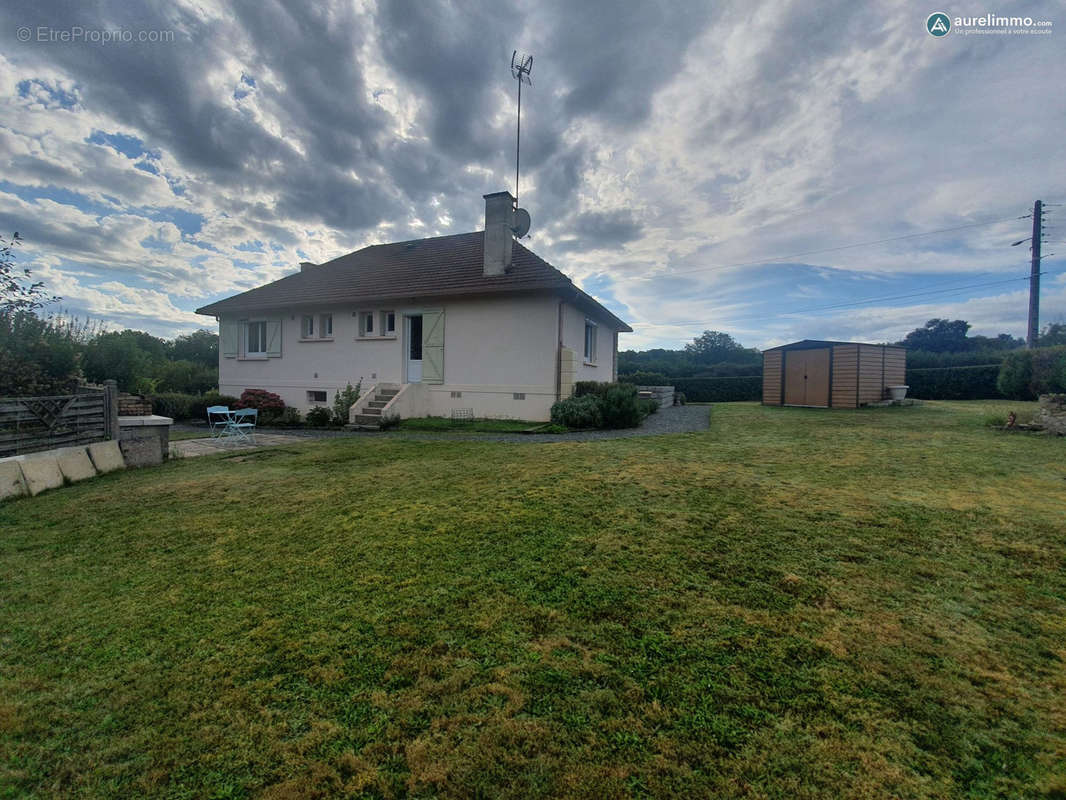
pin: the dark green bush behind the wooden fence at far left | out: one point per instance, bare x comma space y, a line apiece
38, 357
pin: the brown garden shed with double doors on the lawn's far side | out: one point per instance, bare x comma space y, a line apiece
831, 375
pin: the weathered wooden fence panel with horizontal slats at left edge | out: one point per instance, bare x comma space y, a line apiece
31, 424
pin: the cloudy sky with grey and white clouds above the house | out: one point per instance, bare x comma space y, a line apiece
694, 166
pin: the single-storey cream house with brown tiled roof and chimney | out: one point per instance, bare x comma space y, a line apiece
473, 323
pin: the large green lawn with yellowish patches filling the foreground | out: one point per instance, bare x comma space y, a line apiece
795, 604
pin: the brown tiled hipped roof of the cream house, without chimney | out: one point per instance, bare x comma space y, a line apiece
446, 266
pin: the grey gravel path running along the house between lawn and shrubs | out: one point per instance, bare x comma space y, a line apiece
673, 420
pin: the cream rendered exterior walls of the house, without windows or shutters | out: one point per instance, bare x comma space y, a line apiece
494, 349
